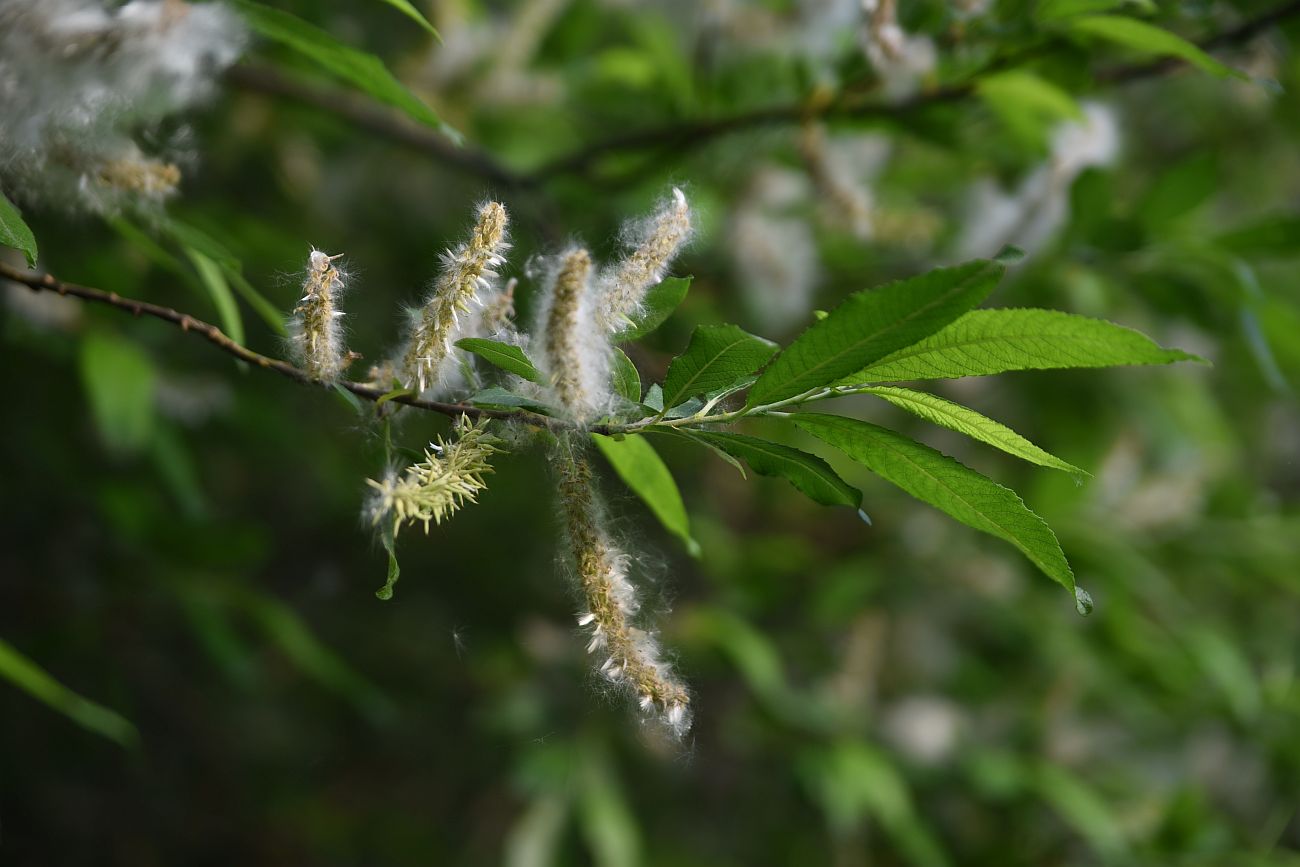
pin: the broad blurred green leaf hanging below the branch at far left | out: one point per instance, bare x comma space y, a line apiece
120, 384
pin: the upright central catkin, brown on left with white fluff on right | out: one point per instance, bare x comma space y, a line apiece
575, 352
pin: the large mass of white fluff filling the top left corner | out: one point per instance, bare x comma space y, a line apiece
80, 81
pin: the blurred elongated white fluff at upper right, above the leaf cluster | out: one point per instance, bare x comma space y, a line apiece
1037, 211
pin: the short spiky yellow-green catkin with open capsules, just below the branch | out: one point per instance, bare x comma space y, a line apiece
450, 475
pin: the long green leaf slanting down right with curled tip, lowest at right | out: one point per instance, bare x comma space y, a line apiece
946, 484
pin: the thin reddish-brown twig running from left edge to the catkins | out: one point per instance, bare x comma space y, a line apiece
215, 336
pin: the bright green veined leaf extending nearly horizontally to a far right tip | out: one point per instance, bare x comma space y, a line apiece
996, 341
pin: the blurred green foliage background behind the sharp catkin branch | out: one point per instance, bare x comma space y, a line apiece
183, 544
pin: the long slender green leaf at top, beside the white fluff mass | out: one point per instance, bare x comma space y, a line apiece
358, 68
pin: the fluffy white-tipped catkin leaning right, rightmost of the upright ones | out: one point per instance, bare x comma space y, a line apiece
655, 242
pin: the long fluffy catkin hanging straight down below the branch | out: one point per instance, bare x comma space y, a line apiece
629, 656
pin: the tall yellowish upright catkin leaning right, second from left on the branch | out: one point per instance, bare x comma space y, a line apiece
469, 272
